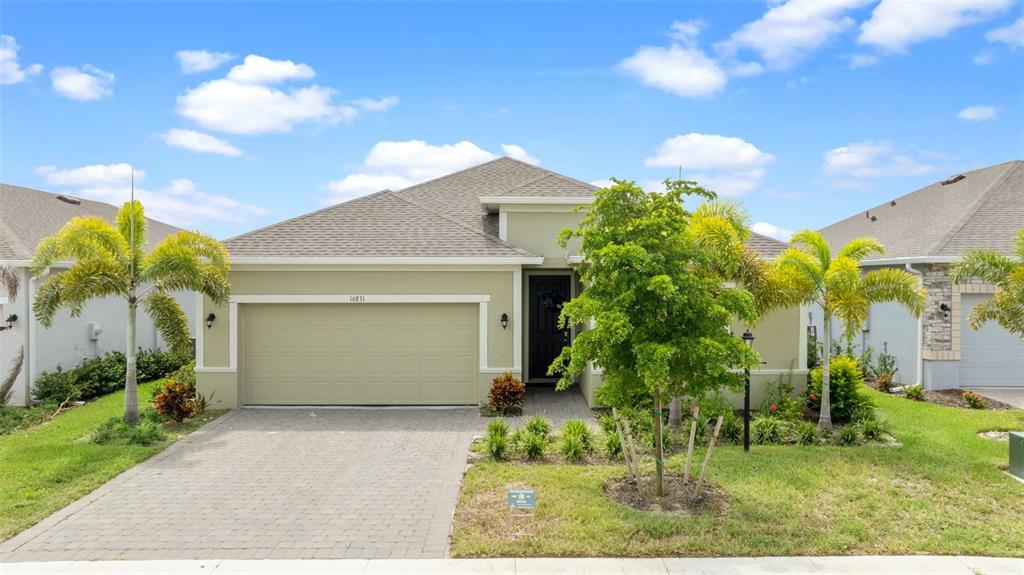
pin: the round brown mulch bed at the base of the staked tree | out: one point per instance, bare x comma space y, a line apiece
679, 498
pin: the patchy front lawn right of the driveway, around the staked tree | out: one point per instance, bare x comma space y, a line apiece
942, 492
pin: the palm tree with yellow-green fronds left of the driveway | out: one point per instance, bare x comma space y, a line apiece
112, 260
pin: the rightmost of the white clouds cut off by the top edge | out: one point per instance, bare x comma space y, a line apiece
895, 25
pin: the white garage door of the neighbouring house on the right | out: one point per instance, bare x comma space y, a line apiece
990, 357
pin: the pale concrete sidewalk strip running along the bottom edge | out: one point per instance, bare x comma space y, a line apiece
748, 566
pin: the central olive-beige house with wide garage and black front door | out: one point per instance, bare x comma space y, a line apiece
414, 297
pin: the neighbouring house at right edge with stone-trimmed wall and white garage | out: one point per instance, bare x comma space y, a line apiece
925, 232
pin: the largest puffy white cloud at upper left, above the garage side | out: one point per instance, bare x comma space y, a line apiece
245, 103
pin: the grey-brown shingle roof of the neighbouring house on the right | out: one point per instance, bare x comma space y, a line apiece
985, 209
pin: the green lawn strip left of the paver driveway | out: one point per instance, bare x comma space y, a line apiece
46, 468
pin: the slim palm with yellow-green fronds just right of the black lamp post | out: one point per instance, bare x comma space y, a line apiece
843, 291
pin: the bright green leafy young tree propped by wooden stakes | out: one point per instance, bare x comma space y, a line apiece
656, 290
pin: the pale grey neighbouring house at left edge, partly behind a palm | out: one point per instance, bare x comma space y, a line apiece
27, 216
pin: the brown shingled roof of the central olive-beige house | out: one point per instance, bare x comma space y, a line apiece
443, 217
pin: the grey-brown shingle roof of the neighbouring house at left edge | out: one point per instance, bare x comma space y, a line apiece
27, 216
